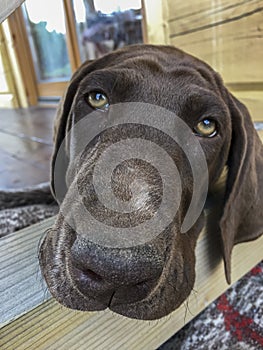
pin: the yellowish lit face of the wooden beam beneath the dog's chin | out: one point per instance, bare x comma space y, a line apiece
51, 326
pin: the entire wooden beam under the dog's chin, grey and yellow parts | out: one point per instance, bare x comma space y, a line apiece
51, 326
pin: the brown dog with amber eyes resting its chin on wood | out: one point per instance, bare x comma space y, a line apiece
147, 280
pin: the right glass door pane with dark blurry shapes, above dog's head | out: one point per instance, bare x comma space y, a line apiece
103, 26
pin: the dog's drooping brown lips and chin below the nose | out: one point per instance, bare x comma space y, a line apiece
148, 300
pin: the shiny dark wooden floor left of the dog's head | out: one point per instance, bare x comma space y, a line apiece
25, 146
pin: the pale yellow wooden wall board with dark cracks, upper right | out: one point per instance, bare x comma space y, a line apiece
226, 34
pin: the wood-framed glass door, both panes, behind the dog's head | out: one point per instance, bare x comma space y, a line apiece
53, 37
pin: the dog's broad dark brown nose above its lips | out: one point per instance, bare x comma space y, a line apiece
116, 266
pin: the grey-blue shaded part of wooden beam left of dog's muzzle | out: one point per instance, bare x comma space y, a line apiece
22, 287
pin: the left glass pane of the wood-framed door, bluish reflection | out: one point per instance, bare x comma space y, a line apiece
46, 31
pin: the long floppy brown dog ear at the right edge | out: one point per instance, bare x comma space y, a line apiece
242, 219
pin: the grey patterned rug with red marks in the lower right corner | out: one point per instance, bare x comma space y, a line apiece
233, 322
